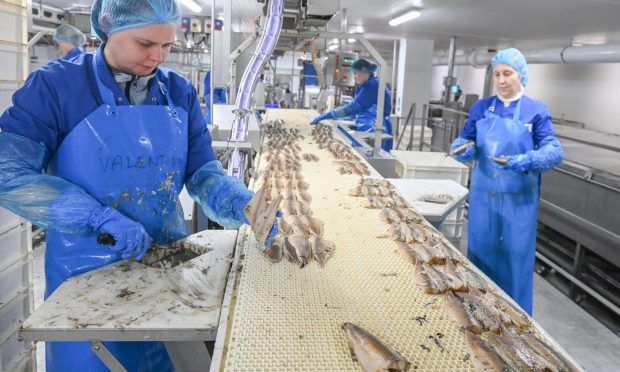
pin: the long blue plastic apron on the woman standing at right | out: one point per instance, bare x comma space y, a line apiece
503, 207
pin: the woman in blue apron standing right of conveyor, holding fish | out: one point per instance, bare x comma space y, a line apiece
503, 201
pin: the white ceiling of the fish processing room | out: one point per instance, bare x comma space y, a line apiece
475, 23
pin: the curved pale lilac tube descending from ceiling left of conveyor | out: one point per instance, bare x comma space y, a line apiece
266, 44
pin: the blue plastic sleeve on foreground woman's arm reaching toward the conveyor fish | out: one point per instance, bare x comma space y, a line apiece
221, 197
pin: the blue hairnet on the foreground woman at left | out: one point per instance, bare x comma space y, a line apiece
110, 16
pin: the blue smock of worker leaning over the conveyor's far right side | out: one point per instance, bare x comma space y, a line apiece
364, 109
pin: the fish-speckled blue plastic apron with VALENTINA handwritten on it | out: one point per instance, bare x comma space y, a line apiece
132, 158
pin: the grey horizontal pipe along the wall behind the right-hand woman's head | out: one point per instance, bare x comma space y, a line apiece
608, 53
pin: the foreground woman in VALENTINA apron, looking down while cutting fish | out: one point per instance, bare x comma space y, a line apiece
93, 157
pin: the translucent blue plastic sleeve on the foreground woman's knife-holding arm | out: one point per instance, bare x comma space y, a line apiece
45, 200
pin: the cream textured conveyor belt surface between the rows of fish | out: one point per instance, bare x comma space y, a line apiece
287, 318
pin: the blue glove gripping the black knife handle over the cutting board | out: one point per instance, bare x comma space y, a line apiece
131, 238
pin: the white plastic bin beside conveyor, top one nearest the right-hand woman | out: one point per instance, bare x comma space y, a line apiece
429, 165
